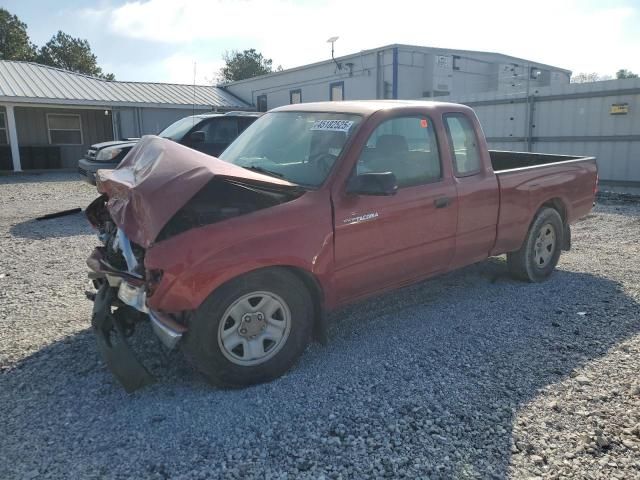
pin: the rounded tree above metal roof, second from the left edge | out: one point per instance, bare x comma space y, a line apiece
69, 53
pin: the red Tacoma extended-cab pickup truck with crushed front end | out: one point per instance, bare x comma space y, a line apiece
315, 205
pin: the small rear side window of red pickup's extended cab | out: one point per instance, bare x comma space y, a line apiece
463, 142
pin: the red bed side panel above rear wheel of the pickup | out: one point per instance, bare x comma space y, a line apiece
523, 192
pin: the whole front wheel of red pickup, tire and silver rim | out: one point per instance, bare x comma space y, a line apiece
252, 329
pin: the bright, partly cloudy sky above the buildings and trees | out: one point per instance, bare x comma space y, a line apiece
161, 40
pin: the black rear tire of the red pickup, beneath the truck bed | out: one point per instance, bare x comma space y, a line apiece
525, 264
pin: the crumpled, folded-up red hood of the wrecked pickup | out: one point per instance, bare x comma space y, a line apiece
157, 178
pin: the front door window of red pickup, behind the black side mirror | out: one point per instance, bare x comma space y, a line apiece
405, 146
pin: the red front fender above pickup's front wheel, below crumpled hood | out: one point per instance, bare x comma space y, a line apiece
196, 263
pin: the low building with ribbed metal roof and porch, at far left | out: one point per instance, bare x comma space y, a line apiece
49, 117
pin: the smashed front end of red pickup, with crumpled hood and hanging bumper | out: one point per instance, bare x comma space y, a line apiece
160, 190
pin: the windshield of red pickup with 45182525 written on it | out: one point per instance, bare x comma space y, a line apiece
300, 147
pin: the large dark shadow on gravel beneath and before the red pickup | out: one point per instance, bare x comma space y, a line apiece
434, 372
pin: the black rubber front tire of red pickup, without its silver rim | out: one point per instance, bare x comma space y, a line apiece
201, 342
